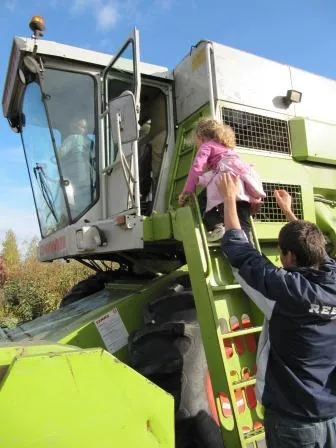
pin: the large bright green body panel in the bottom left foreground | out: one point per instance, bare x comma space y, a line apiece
64, 397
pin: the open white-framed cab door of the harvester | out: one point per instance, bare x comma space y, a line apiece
120, 174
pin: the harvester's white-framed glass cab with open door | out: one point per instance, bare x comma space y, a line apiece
80, 116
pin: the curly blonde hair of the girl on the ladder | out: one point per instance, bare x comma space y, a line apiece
210, 129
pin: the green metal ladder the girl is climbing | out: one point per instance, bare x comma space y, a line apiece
229, 323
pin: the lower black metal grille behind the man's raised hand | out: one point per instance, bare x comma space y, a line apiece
270, 212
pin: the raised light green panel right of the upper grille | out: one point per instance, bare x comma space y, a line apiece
311, 140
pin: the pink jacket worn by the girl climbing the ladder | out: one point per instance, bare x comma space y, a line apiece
222, 159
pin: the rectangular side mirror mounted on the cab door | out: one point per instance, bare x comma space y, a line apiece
122, 114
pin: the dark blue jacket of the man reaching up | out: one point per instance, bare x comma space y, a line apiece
296, 356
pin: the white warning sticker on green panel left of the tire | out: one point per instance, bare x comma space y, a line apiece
112, 331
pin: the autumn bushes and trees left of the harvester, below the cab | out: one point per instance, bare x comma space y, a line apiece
31, 288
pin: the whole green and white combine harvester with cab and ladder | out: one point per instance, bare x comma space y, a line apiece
158, 347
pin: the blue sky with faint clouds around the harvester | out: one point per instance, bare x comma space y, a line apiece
296, 32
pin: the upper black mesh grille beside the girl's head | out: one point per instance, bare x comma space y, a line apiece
258, 132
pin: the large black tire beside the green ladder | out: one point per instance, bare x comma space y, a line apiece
169, 351
